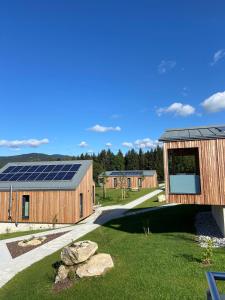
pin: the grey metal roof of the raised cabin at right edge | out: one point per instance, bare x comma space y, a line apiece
194, 133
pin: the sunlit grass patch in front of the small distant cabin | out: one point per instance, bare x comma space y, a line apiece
114, 196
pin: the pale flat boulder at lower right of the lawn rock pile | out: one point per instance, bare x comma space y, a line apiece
95, 266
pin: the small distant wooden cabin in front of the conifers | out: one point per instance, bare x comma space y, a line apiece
130, 179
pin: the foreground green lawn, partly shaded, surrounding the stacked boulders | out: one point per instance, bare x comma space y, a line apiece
163, 265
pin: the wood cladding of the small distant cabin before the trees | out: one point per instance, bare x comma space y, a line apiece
148, 181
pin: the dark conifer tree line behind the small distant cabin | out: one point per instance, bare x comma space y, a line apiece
106, 160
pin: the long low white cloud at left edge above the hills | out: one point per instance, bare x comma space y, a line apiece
16, 144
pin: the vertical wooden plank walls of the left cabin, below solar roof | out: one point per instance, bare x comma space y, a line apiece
47, 205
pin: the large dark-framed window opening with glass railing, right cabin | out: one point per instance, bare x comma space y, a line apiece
184, 172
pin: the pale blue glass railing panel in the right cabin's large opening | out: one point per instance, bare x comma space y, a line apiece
185, 184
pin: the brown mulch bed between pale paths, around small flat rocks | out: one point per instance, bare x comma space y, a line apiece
16, 250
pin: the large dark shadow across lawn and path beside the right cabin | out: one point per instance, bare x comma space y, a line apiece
178, 218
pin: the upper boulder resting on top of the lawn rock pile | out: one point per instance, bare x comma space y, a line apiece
78, 252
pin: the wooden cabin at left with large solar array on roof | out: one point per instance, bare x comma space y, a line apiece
56, 192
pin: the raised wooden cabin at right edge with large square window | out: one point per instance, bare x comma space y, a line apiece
194, 164
